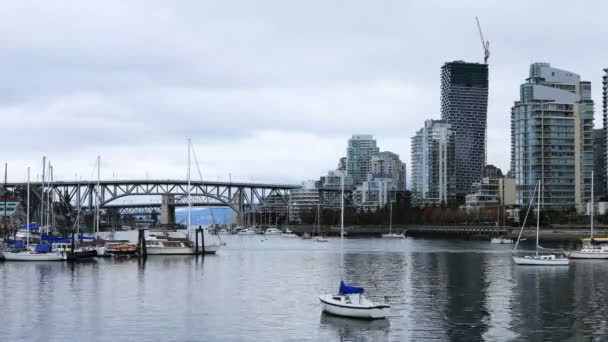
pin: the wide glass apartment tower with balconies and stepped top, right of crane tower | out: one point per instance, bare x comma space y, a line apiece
552, 138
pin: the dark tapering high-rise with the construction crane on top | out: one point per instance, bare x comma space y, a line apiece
464, 105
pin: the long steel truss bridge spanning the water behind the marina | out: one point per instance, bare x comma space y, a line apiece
237, 195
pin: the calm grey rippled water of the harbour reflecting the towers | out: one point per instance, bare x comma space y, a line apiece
256, 290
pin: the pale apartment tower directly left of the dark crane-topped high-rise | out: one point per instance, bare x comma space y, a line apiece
433, 158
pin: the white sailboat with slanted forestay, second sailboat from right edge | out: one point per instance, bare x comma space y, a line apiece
541, 257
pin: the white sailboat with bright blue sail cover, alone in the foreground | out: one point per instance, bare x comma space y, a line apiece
350, 301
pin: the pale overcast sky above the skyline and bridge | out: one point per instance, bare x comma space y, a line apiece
268, 91
